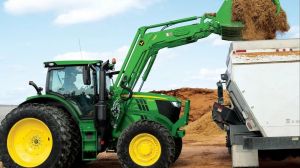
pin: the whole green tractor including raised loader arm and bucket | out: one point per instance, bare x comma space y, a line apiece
84, 112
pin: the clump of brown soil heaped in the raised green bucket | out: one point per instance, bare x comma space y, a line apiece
260, 19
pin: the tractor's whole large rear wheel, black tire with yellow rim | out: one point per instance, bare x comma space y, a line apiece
36, 135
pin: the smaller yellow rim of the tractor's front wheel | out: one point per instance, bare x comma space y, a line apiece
145, 149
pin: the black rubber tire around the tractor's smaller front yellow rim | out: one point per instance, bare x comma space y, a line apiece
154, 129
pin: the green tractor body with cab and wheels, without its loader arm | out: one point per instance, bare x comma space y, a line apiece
78, 117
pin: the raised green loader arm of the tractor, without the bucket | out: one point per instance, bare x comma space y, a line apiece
146, 45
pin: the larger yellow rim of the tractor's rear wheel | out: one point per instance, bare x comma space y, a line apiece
29, 142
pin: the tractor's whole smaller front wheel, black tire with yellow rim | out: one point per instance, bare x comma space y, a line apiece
146, 144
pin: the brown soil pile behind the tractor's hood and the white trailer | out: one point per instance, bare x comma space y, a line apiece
201, 127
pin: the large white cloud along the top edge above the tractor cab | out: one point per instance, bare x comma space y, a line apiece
76, 11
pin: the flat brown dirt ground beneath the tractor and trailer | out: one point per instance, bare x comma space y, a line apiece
199, 155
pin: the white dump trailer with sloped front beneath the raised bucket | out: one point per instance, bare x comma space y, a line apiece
263, 82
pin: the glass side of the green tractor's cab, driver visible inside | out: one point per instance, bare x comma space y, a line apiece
68, 82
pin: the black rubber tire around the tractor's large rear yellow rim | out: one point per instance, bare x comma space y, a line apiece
65, 144
